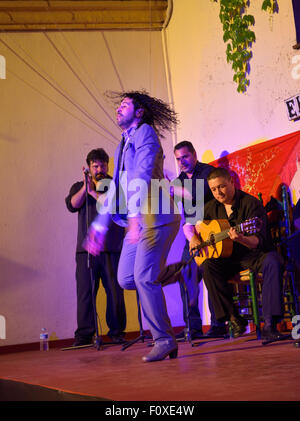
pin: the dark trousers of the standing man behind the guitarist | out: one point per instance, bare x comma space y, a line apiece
192, 276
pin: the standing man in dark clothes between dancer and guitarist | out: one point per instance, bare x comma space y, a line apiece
194, 170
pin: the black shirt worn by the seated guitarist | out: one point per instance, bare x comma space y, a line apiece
244, 207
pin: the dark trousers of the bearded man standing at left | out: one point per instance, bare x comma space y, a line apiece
104, 266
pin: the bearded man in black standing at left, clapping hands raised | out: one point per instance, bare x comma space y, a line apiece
103, 266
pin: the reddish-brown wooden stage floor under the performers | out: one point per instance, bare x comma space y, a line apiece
213, 370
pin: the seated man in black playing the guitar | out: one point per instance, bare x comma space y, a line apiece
249, 251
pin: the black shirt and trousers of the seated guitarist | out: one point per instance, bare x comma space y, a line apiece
217, 271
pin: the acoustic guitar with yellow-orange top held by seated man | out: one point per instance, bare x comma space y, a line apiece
215, 241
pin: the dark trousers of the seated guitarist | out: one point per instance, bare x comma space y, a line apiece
216, 273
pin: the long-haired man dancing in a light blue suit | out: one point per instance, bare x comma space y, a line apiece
151, 228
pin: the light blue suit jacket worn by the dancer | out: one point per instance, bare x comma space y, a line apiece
143, 162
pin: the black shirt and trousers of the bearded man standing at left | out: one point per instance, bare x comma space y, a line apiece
103, 266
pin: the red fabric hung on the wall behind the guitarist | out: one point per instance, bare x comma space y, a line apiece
264, 167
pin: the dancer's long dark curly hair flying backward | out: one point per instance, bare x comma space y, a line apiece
157, 113
